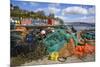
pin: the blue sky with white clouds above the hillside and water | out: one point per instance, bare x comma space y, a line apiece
67, 12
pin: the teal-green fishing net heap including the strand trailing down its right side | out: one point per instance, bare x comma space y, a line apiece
56, 40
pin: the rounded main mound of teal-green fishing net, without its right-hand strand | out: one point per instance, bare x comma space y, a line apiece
55, 41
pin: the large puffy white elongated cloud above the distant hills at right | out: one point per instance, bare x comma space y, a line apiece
74, 10
